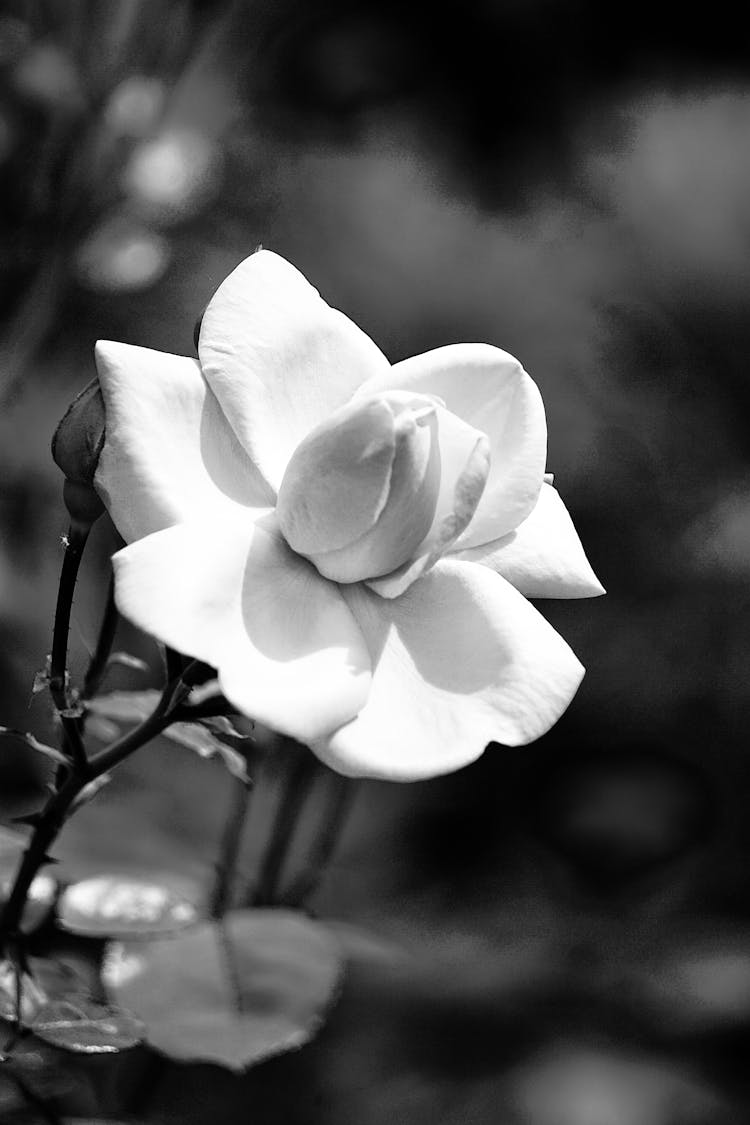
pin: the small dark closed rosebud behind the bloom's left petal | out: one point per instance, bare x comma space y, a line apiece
76, 448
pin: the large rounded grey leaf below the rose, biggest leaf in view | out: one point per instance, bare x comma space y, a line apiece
286, 967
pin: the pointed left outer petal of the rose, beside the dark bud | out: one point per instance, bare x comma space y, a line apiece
169, 453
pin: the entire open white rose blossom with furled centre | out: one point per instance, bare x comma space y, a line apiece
350, 544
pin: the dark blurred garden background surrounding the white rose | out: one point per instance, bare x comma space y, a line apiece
571, 183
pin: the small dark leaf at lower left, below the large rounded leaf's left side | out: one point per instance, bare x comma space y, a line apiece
87, 1028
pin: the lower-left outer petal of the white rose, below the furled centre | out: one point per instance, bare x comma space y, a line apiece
286, 646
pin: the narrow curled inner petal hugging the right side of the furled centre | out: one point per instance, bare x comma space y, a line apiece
464, 471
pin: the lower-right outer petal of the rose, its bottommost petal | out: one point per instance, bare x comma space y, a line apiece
459, 661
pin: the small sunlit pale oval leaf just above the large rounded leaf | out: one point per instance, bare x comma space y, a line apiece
122, 907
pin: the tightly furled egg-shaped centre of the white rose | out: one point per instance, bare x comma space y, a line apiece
360, 491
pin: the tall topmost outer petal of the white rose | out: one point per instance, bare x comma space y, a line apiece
279, 359
